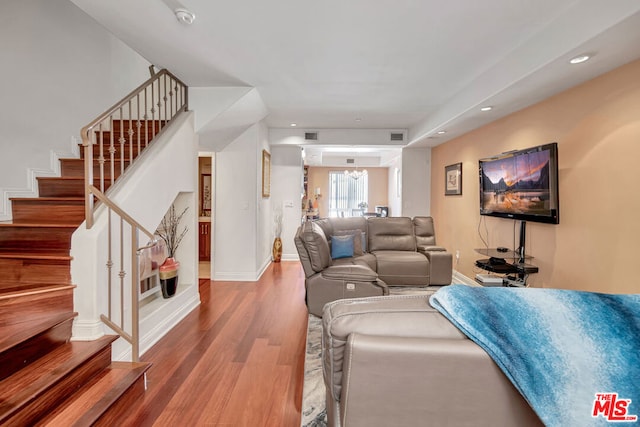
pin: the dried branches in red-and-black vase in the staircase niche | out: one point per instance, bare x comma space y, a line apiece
169, 231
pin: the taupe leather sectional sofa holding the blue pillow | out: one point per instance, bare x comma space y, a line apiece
384, 251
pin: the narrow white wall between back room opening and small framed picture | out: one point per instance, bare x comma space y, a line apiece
416, 181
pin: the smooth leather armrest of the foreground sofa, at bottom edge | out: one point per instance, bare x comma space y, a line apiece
391, 380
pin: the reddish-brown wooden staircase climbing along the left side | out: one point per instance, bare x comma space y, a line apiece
46, 379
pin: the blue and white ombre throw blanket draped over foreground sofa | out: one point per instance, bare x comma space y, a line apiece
560, 348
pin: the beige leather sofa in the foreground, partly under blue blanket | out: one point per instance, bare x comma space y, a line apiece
396, 361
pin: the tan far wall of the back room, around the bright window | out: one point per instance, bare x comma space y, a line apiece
378, 186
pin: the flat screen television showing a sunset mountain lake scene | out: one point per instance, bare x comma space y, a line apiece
521, 184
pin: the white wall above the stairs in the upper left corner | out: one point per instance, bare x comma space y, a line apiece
60, 69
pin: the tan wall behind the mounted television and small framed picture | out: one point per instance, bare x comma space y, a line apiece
595, 246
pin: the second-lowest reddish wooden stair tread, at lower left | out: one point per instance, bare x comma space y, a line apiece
27, 385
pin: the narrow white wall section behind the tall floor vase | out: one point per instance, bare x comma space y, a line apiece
286, 184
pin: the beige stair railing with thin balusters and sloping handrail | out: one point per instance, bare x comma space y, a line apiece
149, 108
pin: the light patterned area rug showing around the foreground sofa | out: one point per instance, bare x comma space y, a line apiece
313, 395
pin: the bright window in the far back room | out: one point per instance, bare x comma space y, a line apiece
346, 194
